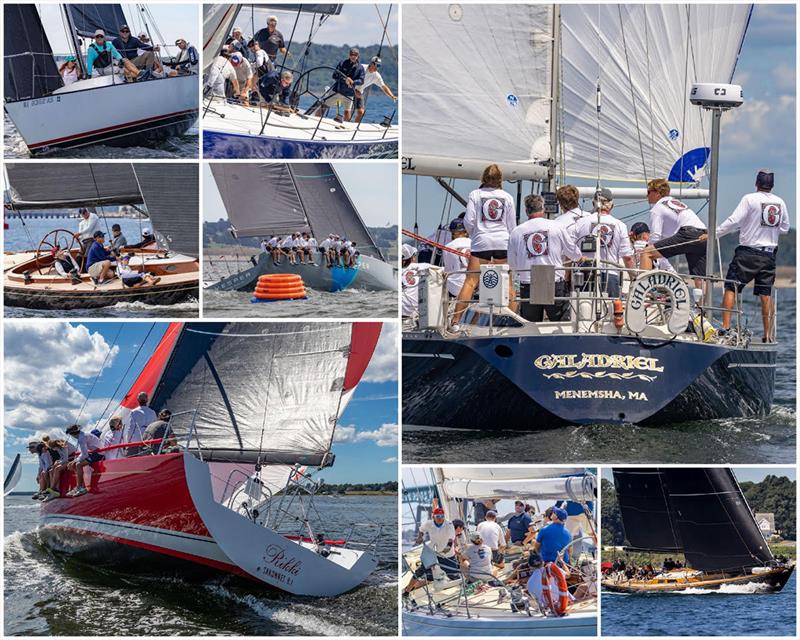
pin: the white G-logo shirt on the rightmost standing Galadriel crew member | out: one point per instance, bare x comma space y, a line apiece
761, 219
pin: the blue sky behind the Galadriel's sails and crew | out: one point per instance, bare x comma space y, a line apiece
761, 133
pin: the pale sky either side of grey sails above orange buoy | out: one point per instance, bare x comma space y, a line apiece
372, 186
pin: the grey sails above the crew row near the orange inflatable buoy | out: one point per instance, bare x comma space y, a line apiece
265, 198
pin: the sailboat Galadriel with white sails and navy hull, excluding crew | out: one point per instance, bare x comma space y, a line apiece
597, 92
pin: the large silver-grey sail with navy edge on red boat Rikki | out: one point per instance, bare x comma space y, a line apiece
270, 392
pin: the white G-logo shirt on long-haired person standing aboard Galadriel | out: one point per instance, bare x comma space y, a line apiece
490, 219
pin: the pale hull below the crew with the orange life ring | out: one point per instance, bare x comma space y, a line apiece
419, 623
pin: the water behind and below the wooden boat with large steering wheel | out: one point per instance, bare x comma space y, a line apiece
26, 234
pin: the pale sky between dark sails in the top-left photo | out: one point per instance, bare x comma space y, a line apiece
173, 21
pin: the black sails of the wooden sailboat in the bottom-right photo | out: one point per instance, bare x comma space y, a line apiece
700, 512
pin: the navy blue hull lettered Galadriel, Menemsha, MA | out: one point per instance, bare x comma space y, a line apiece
536, 382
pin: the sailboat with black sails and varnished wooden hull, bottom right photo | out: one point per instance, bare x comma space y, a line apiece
702, 514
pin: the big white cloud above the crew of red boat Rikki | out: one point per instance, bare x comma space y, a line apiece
40, 360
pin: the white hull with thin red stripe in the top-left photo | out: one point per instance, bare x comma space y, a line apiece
122, 114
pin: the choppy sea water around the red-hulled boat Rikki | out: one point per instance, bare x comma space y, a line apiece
50, 594
